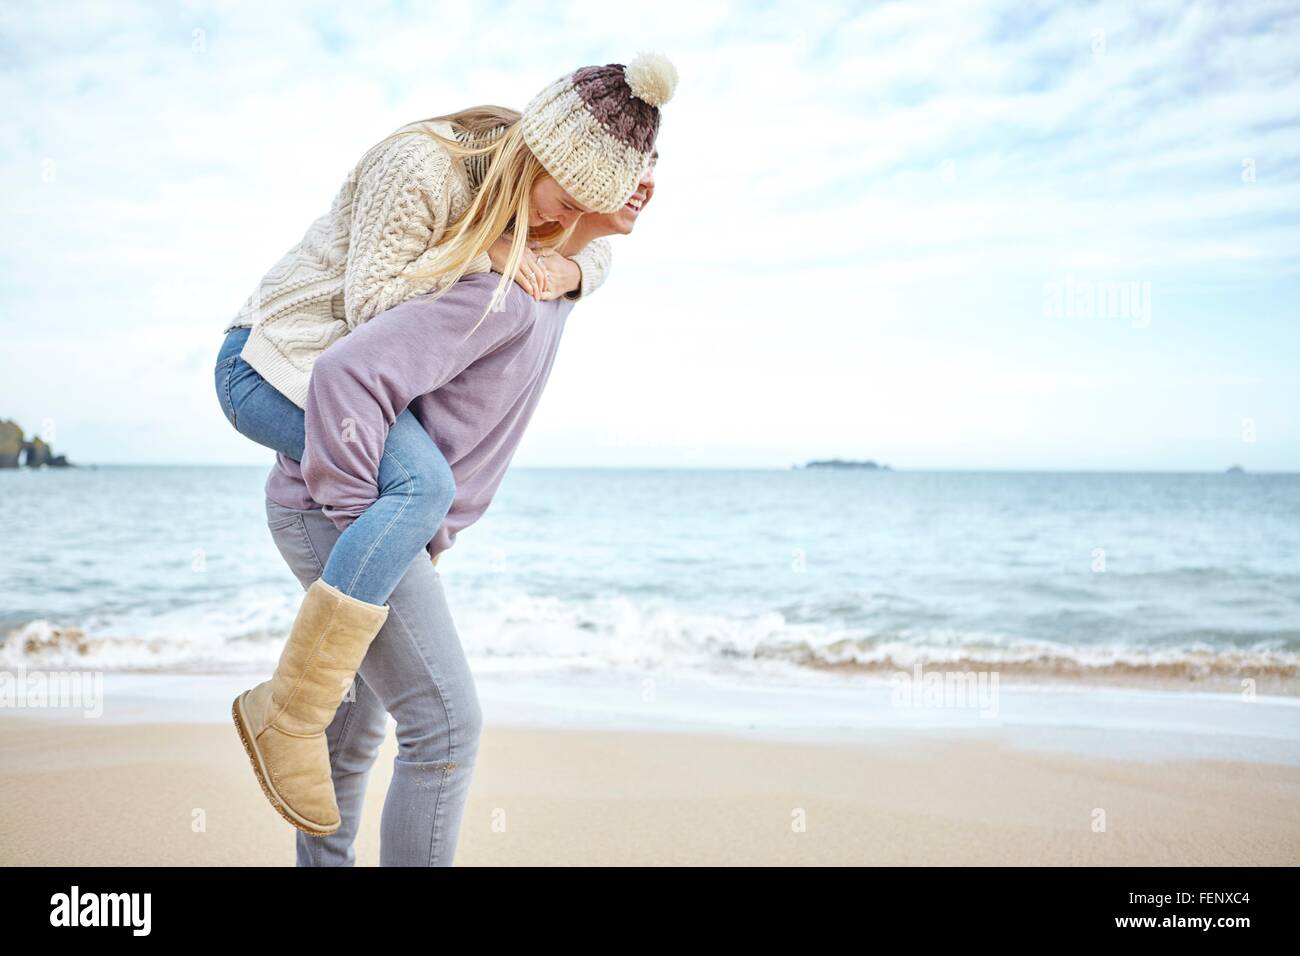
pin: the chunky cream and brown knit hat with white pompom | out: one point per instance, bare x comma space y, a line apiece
595, 129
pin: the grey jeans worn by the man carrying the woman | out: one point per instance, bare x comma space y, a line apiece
415, 671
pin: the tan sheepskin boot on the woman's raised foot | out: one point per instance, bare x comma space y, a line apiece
283, 721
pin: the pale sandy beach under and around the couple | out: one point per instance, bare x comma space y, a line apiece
101, 793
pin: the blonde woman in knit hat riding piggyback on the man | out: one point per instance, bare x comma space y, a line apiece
483, 191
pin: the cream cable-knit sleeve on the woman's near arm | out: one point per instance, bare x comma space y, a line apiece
400, 213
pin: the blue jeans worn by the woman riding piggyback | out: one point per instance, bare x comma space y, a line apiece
415, 483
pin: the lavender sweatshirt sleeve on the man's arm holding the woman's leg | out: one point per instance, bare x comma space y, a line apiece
362, 383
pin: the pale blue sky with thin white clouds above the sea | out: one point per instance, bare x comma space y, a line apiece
941, 236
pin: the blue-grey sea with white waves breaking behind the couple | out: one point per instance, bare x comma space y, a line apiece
707, 572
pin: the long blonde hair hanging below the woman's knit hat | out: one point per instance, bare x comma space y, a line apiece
502, 200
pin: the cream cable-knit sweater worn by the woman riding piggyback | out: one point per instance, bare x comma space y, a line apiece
358, 259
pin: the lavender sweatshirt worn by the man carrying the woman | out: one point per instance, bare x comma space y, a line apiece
473, 395
